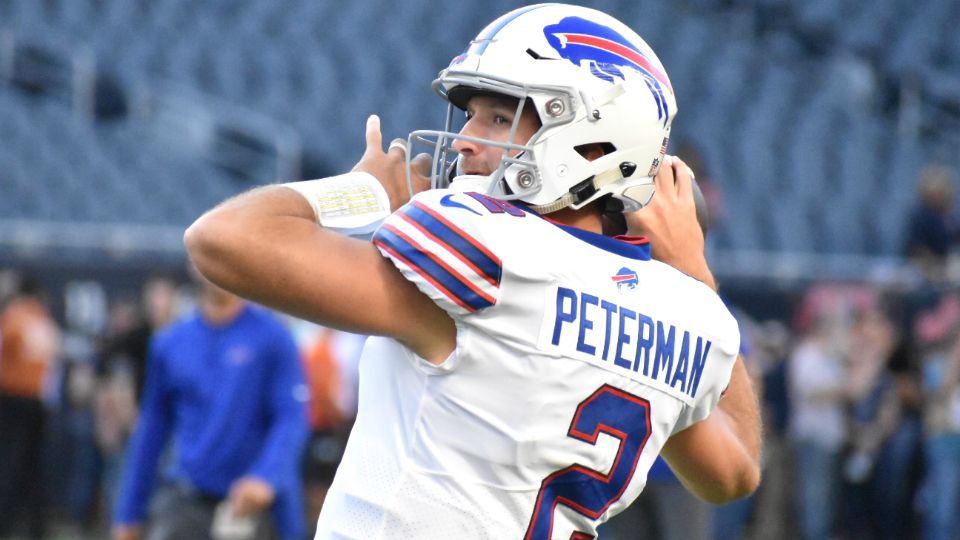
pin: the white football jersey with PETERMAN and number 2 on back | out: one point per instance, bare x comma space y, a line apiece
577, 357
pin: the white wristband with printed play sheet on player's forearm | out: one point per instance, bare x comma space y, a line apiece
354, 204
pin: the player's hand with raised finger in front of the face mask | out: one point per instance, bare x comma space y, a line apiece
390, 167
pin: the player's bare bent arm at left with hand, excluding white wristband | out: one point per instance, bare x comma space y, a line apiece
266, 245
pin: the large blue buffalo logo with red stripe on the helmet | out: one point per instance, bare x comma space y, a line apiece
606, 52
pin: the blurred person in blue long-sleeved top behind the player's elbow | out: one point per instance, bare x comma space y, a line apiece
226, 384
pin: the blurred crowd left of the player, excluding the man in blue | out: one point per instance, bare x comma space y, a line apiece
71, 389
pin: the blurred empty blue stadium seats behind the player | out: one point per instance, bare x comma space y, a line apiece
121, 121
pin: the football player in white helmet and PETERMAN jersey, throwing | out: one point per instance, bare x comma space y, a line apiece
543, 366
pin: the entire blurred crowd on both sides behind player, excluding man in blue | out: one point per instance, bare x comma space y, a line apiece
860, 384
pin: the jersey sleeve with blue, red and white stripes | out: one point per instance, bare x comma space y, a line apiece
438, 244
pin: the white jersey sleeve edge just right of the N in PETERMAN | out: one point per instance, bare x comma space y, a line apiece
715, 377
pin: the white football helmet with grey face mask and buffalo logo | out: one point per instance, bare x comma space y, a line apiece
591, 79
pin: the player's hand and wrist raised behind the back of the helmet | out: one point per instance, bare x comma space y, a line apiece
670, 222
